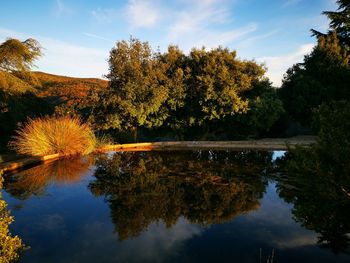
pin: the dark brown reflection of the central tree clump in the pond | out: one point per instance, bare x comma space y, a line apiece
204, 187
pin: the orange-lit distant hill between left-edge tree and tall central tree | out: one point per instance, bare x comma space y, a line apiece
61, 89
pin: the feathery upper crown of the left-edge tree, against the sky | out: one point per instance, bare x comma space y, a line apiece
19, 56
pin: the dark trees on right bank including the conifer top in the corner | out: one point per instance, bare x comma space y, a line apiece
324, 75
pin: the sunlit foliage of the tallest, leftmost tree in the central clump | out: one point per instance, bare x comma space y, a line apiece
137, 86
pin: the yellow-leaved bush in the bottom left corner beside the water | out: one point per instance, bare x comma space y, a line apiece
9, 245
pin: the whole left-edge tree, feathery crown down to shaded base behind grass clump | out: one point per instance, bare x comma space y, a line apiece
17, 85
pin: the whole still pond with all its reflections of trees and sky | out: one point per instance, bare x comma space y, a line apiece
182, 206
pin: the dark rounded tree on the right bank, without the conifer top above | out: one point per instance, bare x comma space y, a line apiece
322, 77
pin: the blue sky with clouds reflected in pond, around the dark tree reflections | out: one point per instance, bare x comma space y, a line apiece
69, 224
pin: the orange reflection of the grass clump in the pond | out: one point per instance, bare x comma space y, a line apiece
35, 180
